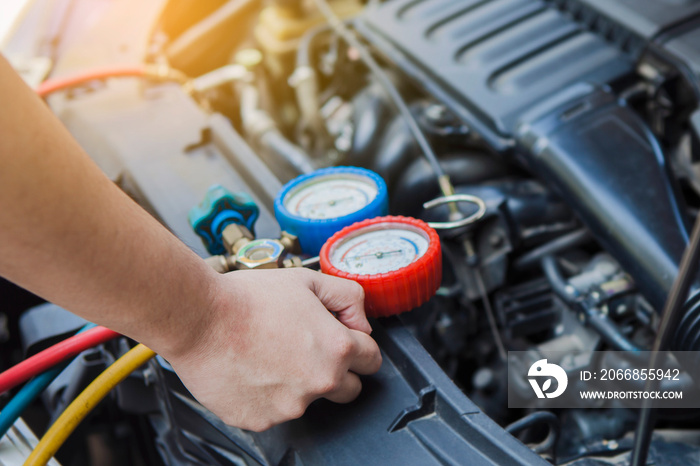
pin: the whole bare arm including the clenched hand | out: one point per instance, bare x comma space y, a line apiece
68, 234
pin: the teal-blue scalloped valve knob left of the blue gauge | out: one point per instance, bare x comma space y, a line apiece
219, 209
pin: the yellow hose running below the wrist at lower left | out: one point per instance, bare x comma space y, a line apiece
85, 402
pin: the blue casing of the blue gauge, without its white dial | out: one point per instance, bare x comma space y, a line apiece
313, 233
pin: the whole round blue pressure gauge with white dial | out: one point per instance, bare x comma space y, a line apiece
315, 206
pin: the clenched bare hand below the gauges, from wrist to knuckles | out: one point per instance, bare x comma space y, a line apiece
271, 347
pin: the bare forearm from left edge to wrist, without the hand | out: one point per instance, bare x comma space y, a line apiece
70, 235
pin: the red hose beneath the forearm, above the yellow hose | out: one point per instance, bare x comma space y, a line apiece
57, 353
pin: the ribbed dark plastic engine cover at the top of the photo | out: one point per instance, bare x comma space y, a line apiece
490, 61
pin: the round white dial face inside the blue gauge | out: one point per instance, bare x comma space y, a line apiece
331, 196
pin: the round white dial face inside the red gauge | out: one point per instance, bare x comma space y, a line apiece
380, 248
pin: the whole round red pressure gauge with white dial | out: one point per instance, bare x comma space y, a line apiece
397, 260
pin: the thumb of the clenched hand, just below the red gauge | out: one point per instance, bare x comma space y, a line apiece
345, 298
